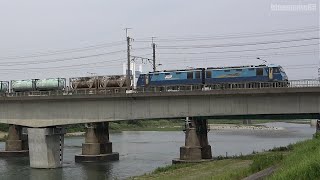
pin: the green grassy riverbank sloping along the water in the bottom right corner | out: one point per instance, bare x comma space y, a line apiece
298, 161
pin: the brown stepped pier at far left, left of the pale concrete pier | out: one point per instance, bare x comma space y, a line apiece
16, 146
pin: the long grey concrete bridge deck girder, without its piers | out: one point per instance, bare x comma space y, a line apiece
42, 111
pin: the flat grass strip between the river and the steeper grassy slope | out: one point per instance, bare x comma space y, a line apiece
233, 168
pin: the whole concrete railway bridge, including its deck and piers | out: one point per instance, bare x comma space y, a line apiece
44, 115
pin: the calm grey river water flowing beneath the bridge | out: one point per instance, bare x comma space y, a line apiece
142, 152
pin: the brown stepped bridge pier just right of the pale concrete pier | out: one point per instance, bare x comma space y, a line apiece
97, 147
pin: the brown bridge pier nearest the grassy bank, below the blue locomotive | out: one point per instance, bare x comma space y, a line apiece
197, 148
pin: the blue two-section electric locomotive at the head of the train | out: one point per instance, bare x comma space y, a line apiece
217, 75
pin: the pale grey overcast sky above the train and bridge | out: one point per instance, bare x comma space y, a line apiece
38, 27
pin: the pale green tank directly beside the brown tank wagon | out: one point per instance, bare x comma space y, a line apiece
51, 84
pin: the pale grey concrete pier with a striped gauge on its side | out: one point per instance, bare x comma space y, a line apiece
46, 147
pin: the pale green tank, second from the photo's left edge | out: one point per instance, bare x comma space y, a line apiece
23, 85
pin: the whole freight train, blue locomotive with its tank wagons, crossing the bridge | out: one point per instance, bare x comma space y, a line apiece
199, 77
